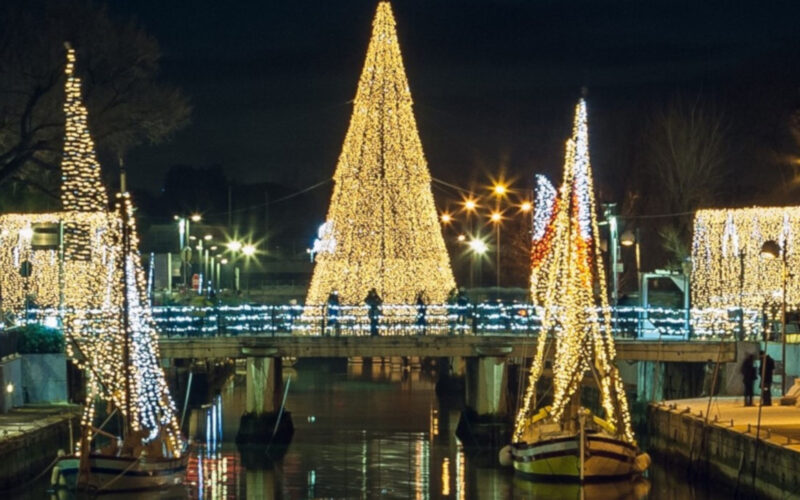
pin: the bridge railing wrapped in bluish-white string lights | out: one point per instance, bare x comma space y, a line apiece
484, 318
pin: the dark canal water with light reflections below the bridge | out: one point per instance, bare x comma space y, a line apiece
373, 431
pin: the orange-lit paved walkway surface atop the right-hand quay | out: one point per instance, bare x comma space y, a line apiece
780, 425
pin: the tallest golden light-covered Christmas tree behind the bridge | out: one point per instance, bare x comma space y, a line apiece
382, 228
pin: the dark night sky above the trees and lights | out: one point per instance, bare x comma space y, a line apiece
494, 83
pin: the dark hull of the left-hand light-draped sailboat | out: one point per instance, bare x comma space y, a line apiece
111, 474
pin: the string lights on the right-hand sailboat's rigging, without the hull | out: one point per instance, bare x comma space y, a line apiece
565, 293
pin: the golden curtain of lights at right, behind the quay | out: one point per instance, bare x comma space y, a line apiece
728, 271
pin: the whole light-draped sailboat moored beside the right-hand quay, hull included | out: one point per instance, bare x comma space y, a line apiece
564, 440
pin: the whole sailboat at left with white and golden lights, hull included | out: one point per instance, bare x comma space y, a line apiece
149, 453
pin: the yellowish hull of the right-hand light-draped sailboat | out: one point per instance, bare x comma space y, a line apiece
558, 459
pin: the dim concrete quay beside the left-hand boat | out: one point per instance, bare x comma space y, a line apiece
30, 437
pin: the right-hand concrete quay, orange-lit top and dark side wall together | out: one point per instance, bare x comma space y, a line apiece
720, 440
